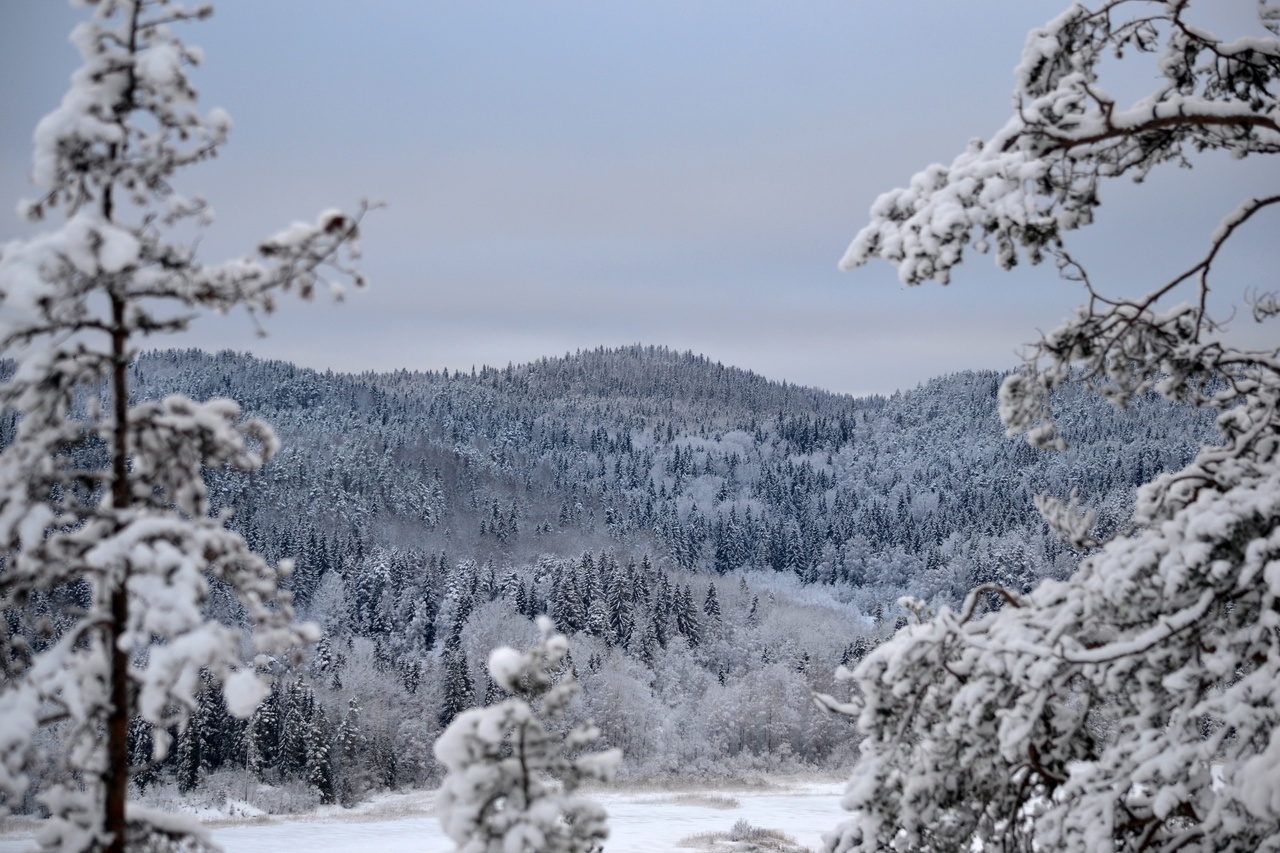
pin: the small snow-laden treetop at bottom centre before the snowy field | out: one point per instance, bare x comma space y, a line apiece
511, 774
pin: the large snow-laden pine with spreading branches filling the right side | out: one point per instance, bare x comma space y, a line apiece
1137, 705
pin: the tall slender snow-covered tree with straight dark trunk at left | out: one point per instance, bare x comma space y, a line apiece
108, 544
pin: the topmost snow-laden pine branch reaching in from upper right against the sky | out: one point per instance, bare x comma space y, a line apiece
1039, 176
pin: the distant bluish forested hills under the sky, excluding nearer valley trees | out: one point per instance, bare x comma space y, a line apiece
646, 450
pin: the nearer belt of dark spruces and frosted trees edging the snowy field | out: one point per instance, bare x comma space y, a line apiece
687, 674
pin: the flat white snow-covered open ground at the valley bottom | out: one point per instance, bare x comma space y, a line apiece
644, 820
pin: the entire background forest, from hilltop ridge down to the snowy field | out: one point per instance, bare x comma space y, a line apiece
714, 544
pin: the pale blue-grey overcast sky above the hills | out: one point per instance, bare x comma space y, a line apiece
572, 174
